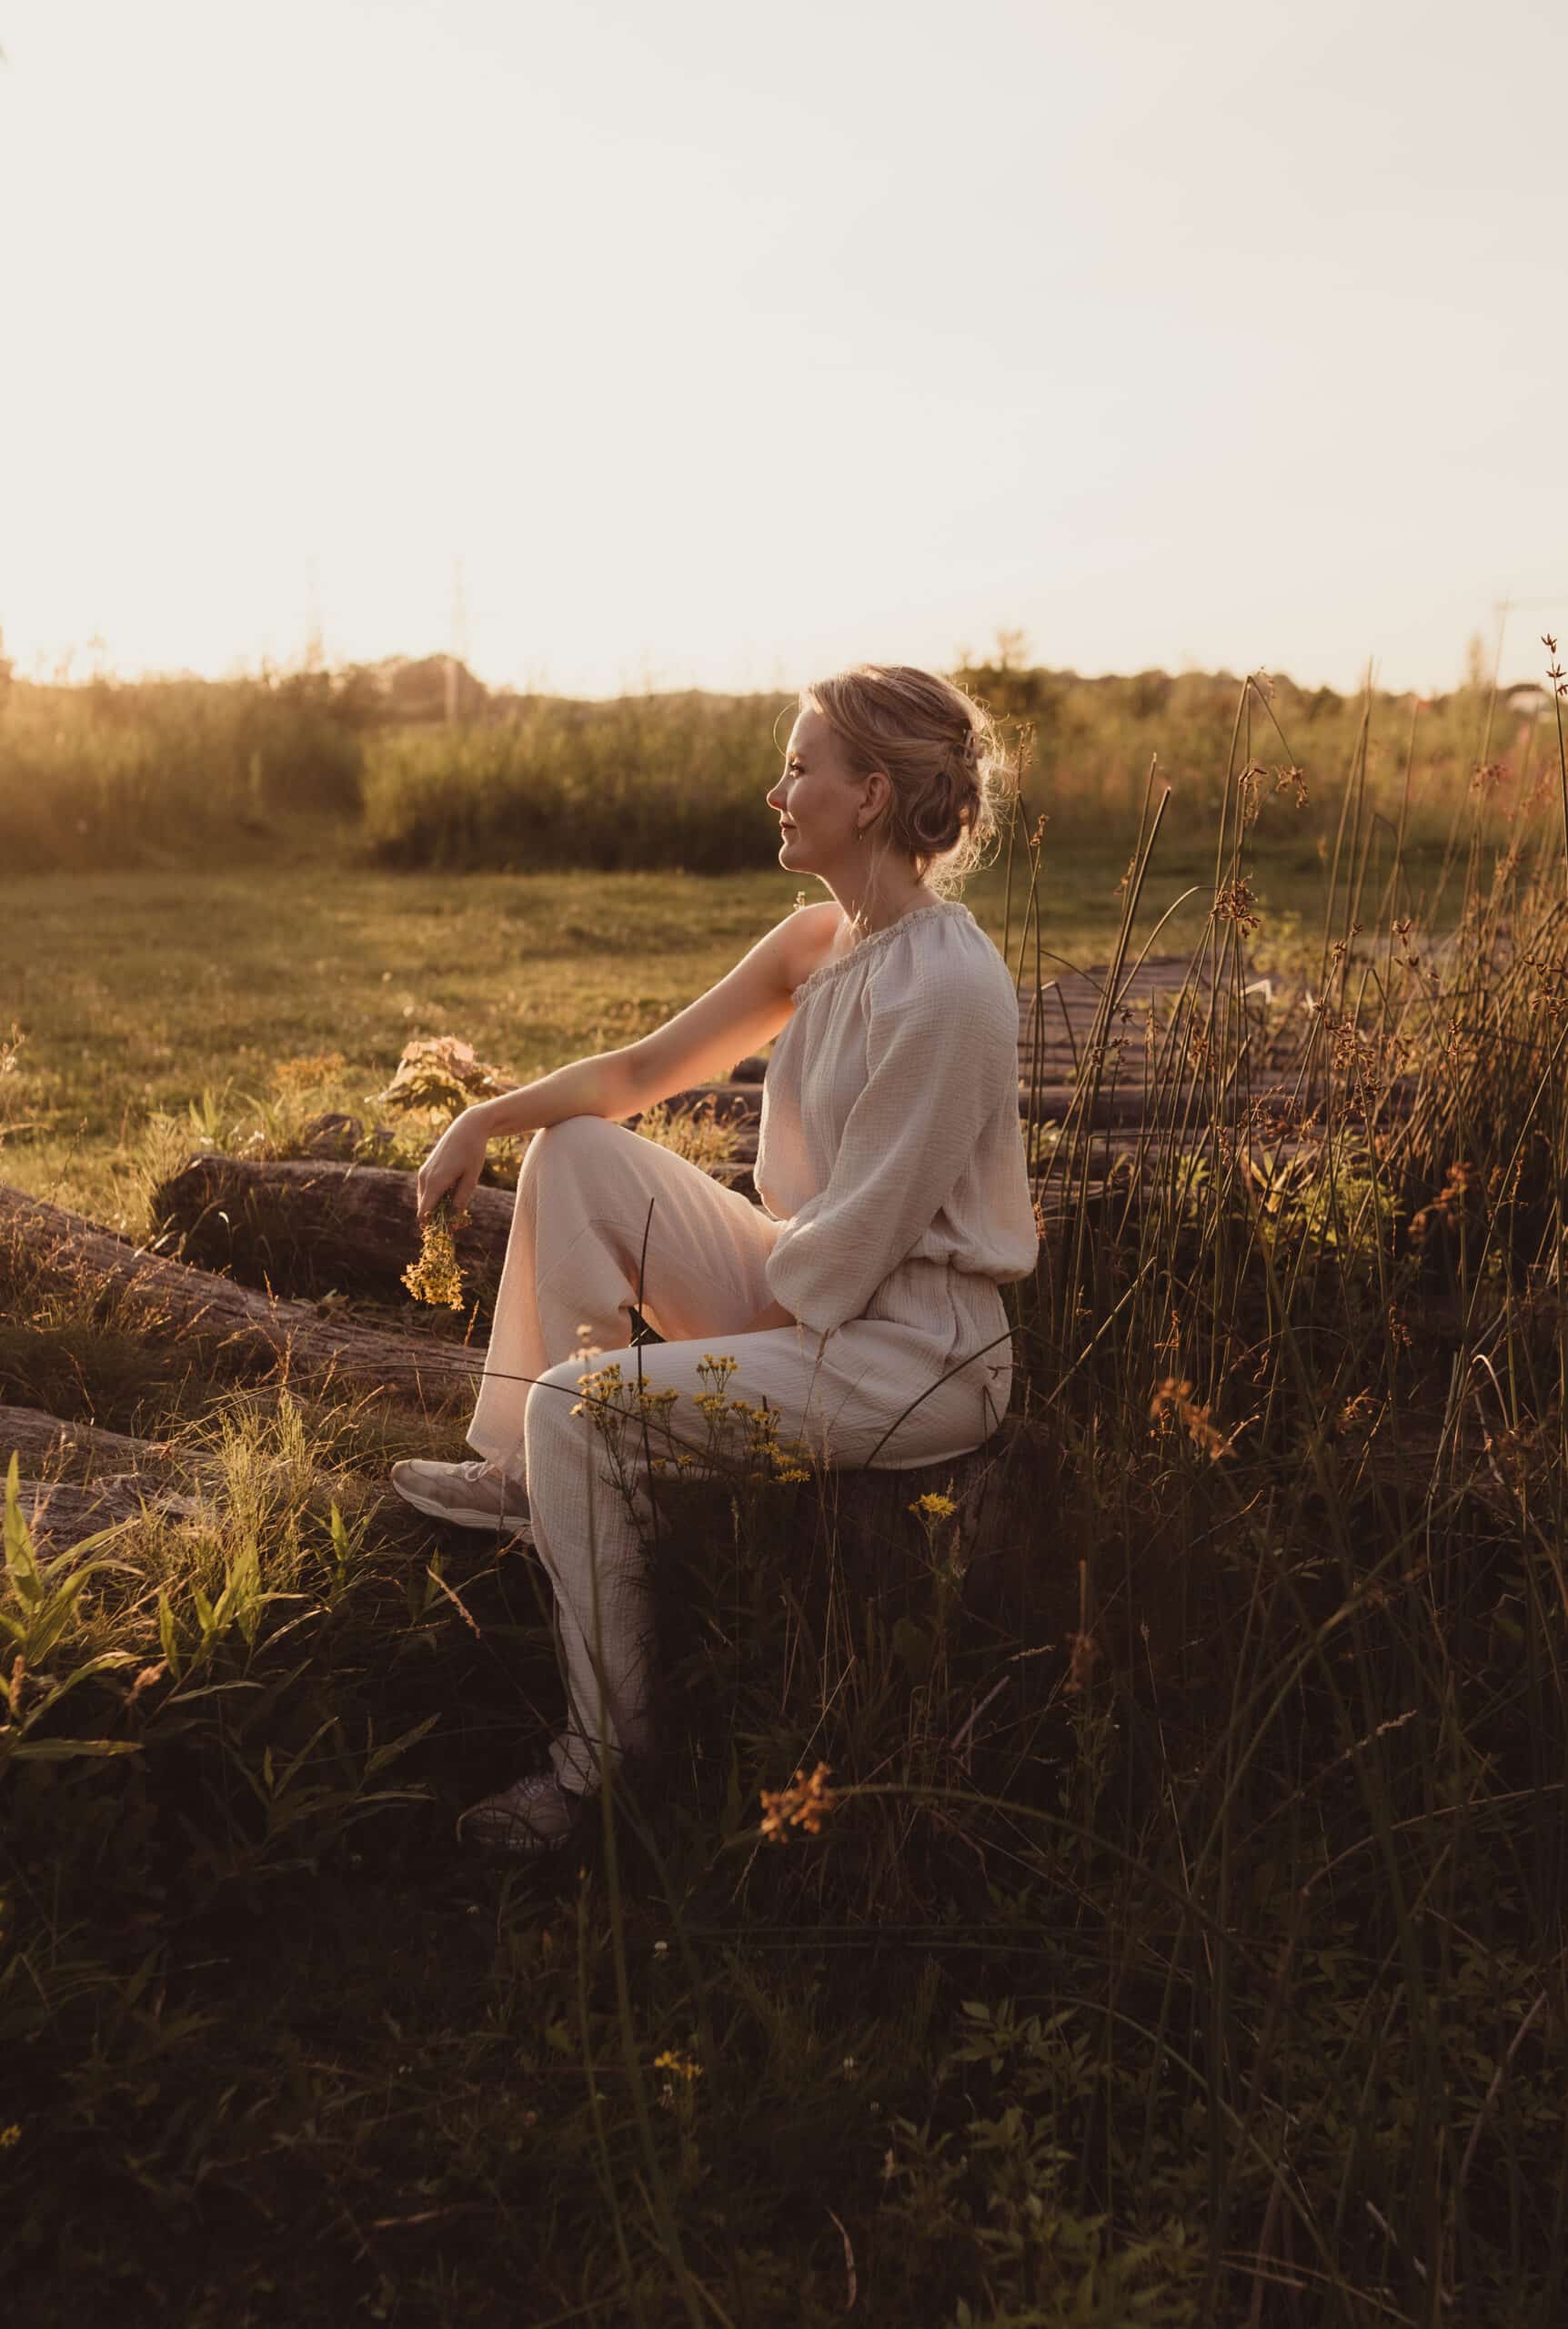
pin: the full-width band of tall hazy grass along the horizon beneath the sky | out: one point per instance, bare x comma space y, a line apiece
108, 774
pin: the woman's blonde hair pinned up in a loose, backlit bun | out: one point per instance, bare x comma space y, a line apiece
940, 751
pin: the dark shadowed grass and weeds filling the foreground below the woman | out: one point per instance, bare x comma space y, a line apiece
1185, 1941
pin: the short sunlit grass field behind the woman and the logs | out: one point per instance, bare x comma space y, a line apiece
141, 991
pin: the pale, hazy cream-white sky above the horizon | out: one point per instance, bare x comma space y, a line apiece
726, 346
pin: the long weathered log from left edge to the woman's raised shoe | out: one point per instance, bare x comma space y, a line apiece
55, 1252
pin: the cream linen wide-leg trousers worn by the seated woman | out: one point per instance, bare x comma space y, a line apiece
598, 1212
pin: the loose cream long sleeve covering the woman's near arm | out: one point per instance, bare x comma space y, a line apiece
942, 1077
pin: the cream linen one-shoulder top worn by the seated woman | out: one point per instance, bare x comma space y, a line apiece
891, 1121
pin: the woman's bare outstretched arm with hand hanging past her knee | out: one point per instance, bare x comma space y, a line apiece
735, 1017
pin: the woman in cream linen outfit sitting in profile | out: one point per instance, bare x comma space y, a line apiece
861, 1303
